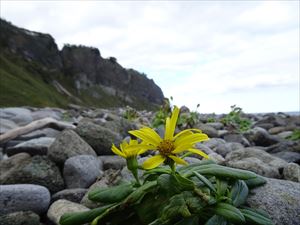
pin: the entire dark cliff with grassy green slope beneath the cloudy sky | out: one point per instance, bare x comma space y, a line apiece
32, 65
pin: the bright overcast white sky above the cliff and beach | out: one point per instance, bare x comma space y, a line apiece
216, 53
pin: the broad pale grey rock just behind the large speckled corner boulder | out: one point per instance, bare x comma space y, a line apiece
256, 160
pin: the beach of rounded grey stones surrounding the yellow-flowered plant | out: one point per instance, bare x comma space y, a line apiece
49, 171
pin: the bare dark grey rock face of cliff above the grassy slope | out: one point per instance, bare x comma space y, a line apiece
90, 74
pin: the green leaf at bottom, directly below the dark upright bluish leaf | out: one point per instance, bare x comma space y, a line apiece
229, 212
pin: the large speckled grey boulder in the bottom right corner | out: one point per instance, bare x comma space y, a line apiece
280, 198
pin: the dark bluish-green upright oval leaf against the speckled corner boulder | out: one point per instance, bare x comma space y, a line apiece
239, 193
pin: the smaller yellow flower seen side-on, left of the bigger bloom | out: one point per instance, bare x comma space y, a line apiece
128, 150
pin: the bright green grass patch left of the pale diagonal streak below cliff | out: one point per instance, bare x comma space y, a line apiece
19, 86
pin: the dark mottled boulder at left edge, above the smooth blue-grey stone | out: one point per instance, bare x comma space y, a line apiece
22, 169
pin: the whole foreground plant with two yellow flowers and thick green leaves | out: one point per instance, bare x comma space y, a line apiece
198, 194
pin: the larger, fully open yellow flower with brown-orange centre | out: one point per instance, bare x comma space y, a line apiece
171, 144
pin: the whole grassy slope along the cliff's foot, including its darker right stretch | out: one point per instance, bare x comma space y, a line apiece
25, 83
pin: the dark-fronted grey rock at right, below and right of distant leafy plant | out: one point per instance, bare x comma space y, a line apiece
260, 137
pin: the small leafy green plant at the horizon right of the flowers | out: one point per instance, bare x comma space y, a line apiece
234, 120
